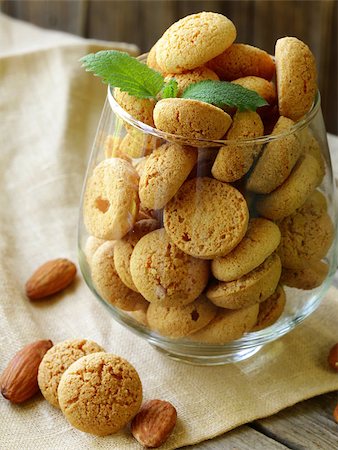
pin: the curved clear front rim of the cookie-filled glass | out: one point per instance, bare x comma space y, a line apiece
143, 127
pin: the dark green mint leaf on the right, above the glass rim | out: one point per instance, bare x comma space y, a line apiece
221, 93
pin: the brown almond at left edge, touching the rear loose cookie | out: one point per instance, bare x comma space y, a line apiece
19, 382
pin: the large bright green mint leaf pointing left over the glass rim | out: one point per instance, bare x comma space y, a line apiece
125, 72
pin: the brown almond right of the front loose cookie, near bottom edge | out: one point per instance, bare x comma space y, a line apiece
153, 423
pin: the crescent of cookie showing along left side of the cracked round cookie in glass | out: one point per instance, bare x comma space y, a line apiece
124, 248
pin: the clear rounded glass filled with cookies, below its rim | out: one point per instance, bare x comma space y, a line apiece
194, 318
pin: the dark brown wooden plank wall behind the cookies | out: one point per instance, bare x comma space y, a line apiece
258, 22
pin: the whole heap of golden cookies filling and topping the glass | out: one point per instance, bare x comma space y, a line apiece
196, 240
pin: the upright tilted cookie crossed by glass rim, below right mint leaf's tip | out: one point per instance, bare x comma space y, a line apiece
234, 160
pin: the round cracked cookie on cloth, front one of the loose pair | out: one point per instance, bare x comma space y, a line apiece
100, 393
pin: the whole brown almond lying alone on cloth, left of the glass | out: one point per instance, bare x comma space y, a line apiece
50, 278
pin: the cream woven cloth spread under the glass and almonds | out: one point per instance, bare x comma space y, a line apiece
49, 112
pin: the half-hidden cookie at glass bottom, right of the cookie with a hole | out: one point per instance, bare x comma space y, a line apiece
227, 325
